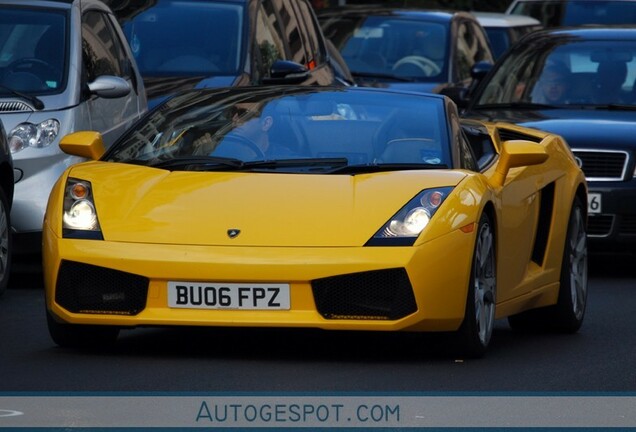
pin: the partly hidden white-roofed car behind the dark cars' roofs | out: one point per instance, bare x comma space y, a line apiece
504, 30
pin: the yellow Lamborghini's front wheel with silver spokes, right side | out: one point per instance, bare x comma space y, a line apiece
479, 318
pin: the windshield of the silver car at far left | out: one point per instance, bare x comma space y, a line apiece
33, 50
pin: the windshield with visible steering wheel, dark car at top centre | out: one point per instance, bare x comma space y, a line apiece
389, 46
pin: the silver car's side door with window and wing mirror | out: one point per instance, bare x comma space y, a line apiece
103, 53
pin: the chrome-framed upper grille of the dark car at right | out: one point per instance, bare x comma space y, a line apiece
602, 165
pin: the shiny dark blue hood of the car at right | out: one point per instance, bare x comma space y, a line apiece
580, 128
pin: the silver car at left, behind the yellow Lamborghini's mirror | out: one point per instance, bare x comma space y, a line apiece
64, 66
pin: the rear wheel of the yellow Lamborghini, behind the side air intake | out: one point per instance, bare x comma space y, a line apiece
566, 316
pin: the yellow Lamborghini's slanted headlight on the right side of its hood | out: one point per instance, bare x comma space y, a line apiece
407, 224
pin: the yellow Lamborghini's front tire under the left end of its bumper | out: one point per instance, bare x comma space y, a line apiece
81, 336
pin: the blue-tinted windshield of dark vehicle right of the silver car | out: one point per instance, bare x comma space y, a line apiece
179, 38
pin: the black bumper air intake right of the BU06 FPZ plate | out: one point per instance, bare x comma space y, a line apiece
373, 295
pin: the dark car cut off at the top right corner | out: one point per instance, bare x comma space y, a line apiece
559, 13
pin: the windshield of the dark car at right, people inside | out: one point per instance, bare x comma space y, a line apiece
568, 72
